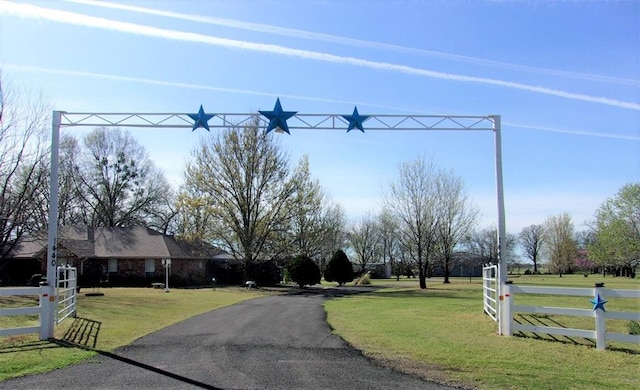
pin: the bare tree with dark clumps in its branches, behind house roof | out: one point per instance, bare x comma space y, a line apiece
116, 182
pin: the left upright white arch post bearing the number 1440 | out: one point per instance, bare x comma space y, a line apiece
52, 261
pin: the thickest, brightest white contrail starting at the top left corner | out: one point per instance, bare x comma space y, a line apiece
30, 11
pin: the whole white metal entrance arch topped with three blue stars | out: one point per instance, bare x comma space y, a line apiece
278, 120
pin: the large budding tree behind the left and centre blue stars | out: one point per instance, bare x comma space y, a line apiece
246, 174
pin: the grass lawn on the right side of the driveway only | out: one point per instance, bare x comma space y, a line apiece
441, 333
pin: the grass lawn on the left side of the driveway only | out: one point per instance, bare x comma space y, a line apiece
124, 315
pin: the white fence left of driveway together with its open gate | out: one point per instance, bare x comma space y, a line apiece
65, 302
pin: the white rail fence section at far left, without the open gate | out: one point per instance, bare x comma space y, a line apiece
21, 311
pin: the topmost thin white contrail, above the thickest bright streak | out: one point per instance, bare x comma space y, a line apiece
310, 35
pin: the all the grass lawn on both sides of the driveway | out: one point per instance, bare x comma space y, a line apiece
440, 333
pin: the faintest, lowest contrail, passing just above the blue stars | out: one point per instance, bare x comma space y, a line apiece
104, 76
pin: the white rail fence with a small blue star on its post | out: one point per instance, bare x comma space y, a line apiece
599, 293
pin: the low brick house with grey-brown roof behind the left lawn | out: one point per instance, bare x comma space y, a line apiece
120, 256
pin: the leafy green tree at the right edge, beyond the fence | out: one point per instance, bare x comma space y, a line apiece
617, 231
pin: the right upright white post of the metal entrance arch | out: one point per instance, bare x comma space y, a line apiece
502, 230
